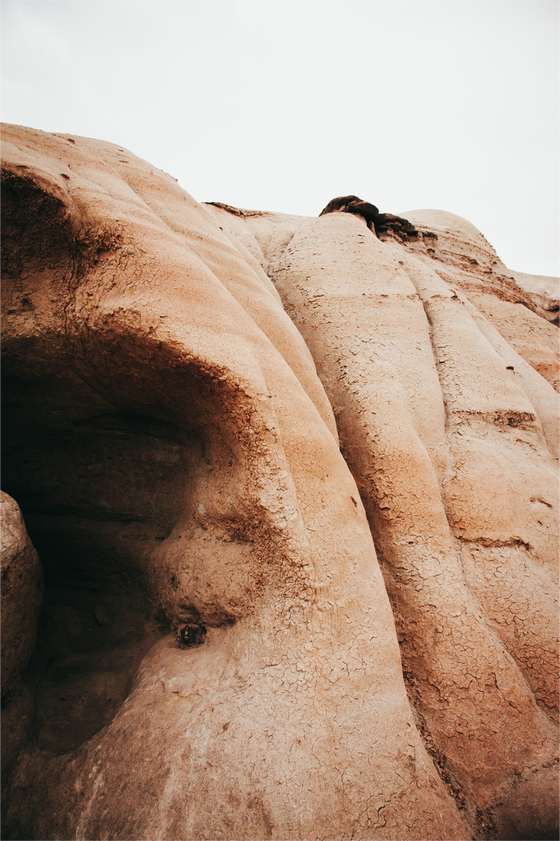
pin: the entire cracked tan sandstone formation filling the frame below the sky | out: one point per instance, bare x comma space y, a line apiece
287, 567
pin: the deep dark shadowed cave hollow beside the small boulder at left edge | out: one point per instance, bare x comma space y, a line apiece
99, 490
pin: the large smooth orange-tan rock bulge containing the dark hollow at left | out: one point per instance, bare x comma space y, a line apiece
176, 464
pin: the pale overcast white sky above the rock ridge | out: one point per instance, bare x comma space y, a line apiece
284, 104
